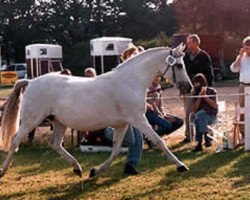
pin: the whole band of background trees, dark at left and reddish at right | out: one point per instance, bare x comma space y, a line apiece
73, 23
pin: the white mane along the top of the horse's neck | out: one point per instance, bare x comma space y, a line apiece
137, 57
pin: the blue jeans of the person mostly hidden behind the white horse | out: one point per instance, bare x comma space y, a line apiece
135, 141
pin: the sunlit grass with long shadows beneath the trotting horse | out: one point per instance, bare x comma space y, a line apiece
39, 173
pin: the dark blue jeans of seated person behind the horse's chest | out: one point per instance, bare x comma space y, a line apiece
164, 126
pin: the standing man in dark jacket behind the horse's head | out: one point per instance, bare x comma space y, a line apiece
196, 61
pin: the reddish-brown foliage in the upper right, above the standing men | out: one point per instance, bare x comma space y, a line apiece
213, 16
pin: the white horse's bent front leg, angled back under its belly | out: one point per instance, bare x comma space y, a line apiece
117, 142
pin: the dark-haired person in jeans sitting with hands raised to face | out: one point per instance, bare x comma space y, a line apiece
204, 109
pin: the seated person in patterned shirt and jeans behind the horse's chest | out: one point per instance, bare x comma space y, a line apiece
164, 123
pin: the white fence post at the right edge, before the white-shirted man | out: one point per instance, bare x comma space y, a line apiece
247, 118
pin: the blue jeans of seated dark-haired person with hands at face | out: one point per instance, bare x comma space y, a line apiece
202, 120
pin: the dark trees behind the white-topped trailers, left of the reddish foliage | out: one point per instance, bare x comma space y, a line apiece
73, 23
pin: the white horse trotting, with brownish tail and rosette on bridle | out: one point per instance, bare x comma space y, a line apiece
115, 99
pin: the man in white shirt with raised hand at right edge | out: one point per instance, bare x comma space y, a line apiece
242, 65
